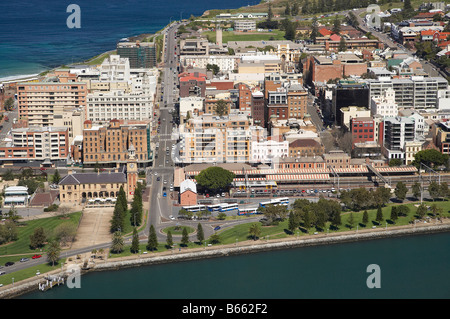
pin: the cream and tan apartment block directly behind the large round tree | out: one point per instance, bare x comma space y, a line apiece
213, 139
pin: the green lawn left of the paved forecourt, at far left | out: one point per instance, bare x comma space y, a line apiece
22, 245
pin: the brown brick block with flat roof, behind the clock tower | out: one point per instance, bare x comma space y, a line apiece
110, 144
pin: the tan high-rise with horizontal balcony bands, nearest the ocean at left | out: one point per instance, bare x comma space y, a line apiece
38, 101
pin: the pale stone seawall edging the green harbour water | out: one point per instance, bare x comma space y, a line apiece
30, 285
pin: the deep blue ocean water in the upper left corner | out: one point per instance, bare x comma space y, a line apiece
34, 36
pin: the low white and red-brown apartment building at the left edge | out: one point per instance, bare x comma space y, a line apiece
36, 143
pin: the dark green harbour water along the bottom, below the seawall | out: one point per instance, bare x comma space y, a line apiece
411, 267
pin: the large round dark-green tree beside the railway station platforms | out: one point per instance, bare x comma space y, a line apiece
214, 178
